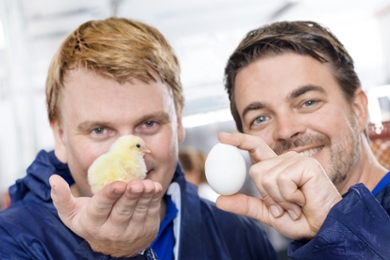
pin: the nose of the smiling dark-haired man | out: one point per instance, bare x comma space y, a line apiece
289, 126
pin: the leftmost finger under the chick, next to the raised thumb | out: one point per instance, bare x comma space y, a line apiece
103, 201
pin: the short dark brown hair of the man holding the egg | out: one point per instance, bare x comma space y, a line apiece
301, 37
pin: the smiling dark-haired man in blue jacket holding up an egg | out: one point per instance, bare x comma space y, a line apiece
298, 103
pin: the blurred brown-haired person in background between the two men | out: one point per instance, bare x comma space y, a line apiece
193, 164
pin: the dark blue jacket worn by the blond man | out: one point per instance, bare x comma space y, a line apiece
31, 229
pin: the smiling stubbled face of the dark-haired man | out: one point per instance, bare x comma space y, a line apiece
294, 103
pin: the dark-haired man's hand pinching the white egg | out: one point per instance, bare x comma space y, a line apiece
297, 194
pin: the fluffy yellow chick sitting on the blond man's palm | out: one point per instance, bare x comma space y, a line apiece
124, 162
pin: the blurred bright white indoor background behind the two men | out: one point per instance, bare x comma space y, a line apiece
203, 33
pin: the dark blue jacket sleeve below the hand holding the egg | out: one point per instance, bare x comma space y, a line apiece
356, 228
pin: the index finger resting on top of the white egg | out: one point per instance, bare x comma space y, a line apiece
255, 145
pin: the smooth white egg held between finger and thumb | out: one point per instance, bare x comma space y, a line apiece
225, 169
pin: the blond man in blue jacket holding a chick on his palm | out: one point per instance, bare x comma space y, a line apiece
112, 78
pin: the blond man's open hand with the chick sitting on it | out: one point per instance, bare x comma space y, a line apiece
120, 220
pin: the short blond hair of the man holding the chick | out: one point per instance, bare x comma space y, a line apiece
115, 48
